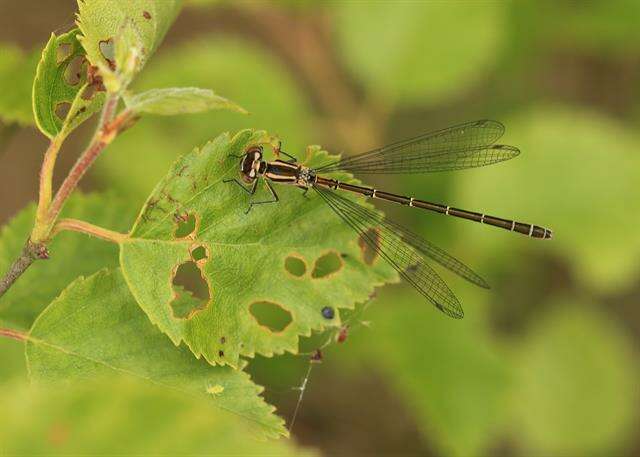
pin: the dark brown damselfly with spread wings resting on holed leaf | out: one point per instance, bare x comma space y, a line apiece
467, 145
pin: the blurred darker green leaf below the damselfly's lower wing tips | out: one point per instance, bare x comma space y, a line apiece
449, 373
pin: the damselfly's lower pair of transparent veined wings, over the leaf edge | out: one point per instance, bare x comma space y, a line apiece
405, 251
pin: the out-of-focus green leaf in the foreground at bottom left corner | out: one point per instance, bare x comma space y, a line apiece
123, 417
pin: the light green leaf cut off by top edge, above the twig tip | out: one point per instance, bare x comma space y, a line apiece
102, 20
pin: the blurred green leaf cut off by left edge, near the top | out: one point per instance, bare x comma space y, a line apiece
16, 71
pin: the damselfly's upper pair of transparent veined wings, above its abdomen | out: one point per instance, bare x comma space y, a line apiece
467, 145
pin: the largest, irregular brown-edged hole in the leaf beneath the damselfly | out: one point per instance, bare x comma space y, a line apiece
191, 289
